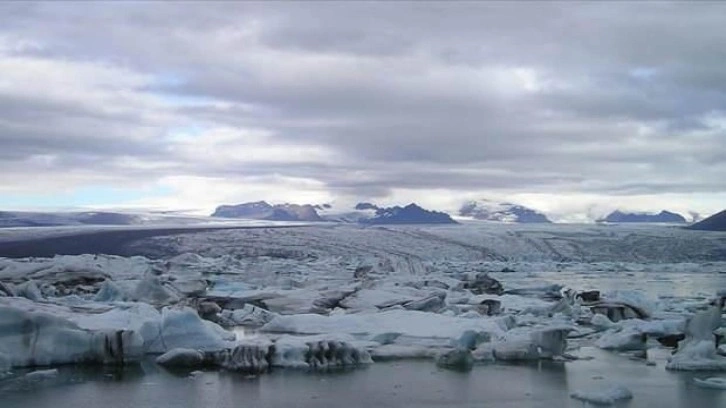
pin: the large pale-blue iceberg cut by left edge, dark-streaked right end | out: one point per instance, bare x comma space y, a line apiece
36, 339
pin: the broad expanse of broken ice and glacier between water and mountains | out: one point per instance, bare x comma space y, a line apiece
338, 296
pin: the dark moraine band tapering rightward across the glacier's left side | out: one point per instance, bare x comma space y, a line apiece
109, 242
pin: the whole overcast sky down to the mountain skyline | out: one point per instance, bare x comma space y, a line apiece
574, 109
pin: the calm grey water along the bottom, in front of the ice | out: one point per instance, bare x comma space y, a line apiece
393, 384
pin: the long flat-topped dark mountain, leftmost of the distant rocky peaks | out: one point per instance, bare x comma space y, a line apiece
261, 210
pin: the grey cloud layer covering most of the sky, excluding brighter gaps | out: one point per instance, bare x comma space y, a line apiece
407, 100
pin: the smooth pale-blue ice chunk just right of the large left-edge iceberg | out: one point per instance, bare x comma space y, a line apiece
181, 328
